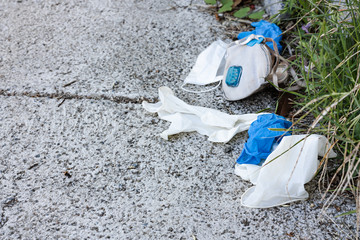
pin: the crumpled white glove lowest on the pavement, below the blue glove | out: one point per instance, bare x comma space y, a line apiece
282, 176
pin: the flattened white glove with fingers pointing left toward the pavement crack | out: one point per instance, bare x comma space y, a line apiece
218, 126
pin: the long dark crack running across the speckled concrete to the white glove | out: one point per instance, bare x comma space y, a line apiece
64, 96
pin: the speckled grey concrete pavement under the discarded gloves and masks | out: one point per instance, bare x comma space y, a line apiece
94, 166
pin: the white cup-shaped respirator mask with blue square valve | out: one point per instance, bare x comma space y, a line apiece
250, 64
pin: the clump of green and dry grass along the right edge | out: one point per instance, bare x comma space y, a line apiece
326, 38
